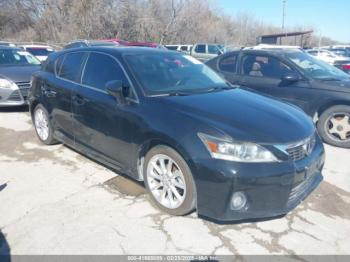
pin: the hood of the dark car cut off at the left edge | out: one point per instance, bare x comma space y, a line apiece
18, 73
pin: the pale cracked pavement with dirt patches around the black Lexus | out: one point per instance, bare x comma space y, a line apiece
56, 201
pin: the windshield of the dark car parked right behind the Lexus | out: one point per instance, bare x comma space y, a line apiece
315, 68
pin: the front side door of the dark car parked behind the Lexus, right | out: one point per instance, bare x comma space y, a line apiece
263, 74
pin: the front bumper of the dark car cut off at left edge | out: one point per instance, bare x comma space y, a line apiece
13, 97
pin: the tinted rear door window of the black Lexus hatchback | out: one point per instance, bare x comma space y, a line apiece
71, 66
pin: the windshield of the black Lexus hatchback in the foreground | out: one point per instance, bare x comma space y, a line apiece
168, 73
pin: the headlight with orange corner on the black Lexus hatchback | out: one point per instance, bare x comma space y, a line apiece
236, 151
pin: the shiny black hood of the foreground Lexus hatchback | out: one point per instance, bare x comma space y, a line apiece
245, 116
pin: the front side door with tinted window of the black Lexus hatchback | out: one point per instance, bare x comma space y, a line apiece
101, 125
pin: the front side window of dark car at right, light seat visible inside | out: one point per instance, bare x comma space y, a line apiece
264, 66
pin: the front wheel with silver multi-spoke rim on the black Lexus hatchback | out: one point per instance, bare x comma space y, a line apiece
169, 181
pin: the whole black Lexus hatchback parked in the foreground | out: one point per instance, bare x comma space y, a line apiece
166, 119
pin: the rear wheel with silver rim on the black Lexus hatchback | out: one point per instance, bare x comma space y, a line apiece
43, 125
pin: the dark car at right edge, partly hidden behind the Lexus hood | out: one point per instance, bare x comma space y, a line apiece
321, 90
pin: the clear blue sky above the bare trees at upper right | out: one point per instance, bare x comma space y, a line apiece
329, 17
